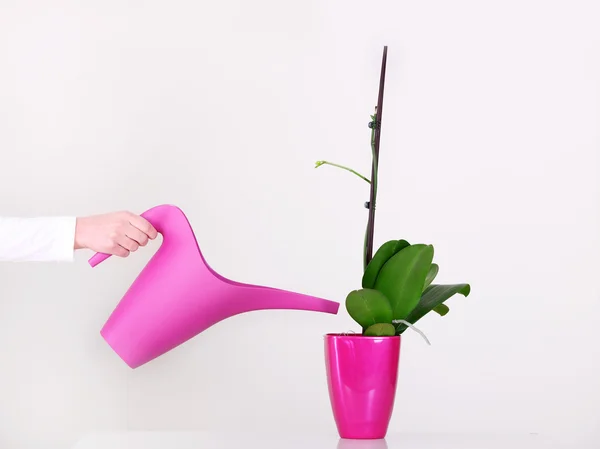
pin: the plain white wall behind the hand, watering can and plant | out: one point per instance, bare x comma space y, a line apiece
489, 151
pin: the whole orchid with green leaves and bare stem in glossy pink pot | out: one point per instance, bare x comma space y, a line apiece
396, 291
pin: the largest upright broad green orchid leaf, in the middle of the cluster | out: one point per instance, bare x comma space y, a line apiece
402, 277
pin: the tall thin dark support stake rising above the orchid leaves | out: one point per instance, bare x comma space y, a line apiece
376, 125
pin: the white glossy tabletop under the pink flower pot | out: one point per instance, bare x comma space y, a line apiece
205, 440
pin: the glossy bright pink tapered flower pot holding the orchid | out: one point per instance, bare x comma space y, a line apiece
362, 374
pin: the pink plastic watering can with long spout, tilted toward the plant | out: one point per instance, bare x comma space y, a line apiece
178, 295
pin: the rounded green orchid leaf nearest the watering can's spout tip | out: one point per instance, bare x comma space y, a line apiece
368, 307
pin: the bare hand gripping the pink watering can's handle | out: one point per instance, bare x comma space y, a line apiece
116, 233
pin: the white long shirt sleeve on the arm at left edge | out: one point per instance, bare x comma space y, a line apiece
41, 239
